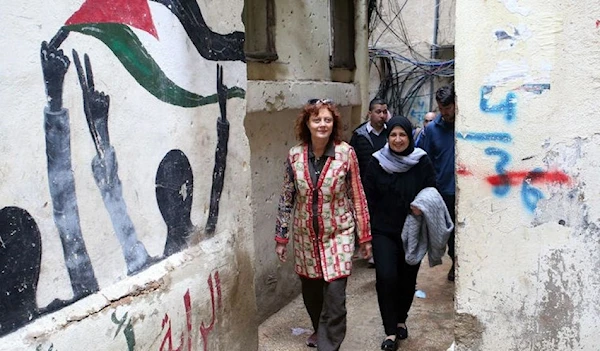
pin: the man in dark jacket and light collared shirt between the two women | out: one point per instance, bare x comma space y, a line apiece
371, 135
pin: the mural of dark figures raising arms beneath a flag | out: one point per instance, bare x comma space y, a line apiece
20, 237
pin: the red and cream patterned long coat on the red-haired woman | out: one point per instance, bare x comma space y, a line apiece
342, 206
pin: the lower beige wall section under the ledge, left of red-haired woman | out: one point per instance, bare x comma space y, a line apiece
275, 284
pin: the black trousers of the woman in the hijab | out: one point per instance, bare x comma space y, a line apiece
396, 280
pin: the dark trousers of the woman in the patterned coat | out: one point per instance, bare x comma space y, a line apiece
326, 306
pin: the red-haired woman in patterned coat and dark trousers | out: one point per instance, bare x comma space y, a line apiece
324, 199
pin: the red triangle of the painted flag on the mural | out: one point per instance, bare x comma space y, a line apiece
135, 13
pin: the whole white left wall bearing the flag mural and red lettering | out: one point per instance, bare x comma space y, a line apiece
153, 251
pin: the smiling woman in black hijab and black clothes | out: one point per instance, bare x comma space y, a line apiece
394, 177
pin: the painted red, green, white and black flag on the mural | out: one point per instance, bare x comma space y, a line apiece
110, 21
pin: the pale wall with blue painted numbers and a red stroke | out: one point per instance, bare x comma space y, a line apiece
527, 219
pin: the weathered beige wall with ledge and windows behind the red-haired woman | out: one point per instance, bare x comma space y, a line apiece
276, 93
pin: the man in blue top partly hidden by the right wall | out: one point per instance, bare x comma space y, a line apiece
438, 141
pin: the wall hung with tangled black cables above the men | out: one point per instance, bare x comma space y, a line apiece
403, 76
